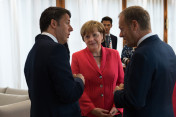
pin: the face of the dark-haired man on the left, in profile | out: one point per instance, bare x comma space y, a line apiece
63, 29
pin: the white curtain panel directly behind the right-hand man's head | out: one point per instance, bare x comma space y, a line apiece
155, 9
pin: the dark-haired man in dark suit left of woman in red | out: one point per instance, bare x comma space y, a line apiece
52, 89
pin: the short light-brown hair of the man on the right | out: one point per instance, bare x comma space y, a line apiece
139, 14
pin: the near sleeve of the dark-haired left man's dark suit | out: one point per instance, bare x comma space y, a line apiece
66, 87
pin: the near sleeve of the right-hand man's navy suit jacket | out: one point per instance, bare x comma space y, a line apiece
137, 83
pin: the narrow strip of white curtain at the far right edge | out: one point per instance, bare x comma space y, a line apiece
172, 23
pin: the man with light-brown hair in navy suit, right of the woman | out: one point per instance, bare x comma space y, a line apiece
151, 73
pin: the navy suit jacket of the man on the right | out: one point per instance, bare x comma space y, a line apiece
149, 81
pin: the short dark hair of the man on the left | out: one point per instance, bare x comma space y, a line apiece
50, 13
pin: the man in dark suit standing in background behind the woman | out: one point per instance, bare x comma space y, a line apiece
110, 40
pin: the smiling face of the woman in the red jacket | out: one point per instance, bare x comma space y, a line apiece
93, 40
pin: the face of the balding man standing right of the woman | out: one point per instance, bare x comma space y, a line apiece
127, 32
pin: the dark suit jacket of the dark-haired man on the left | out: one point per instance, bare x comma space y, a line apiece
52, 89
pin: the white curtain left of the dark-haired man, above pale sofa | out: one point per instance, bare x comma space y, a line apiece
19, 24
